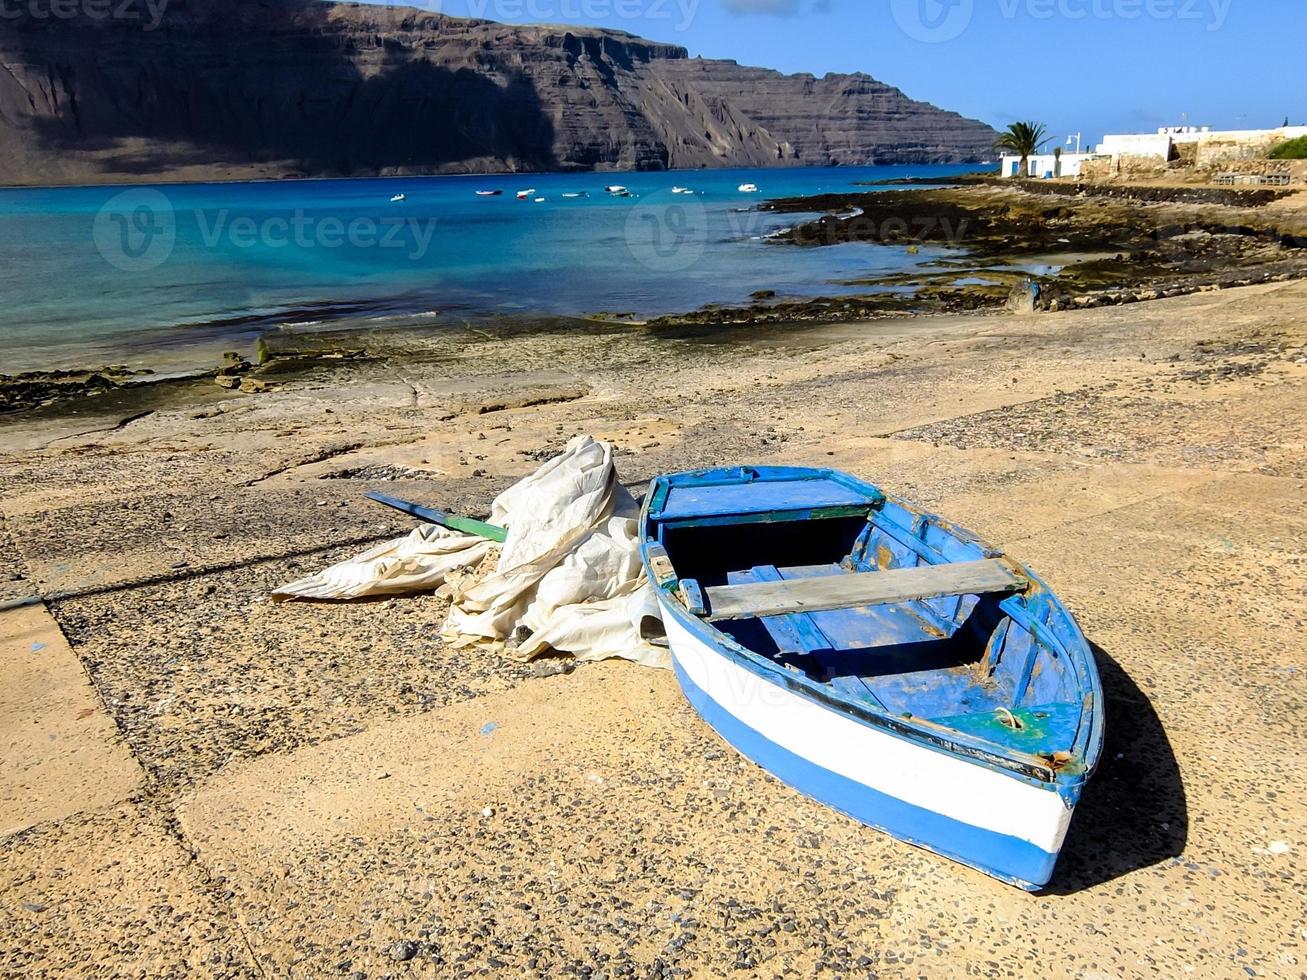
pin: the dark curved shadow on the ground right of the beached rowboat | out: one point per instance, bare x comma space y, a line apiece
1134, 813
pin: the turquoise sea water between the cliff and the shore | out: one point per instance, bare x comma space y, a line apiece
154, 276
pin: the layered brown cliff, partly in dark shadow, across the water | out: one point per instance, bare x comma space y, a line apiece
301, 88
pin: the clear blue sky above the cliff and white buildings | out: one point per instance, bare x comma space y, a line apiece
1092, 66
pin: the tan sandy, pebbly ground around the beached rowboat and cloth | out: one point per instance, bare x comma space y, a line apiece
201, 783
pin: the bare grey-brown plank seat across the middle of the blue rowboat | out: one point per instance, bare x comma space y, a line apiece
819, 595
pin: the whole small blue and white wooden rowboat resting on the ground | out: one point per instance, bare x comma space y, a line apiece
879, 659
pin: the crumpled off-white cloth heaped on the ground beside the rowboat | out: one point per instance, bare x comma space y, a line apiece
571, 570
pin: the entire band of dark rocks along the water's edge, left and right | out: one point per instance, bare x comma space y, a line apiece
1040, 246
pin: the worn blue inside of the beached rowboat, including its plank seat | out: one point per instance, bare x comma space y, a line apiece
888, 608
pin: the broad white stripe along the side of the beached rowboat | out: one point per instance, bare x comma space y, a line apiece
925, 778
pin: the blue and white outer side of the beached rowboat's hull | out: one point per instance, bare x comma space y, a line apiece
994, 820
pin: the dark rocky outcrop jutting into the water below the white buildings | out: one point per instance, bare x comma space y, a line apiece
1010, 246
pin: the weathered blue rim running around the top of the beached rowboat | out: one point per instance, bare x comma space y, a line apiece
1087, 745
